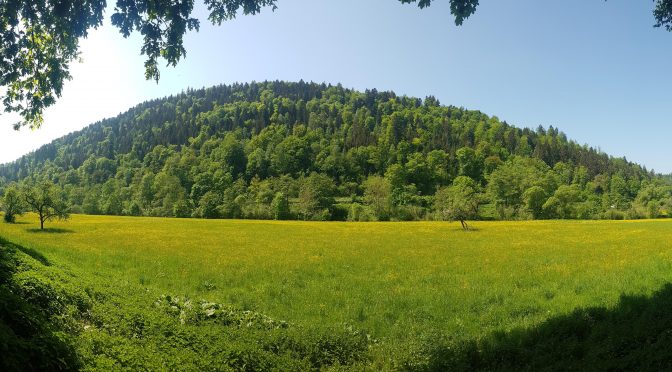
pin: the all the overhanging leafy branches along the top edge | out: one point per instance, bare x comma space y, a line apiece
39, 39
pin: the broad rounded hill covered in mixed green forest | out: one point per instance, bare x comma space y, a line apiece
316, 151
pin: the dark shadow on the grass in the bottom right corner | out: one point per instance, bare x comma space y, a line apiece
634, 335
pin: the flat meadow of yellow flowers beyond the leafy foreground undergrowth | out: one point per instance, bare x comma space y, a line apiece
415, 288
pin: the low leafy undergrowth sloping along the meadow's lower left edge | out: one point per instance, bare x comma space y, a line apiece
47, 322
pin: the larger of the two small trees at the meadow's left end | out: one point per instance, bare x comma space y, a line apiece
46, 200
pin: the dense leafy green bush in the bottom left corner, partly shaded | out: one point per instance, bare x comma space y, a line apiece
41, 311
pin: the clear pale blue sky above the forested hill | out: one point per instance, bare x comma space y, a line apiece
596, 70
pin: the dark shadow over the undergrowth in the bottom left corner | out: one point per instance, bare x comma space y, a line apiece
29, 338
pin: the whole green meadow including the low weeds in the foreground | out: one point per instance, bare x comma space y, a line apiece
413, 296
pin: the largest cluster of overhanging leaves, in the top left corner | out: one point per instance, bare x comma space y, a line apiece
39, 40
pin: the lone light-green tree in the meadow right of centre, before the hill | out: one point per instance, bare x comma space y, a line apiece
458, 202
